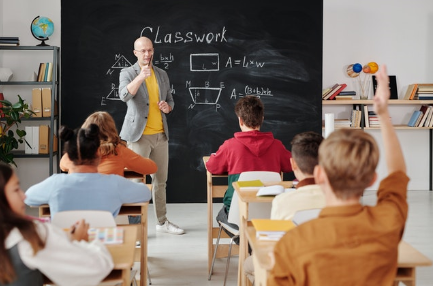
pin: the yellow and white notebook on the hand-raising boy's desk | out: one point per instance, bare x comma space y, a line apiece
271, 229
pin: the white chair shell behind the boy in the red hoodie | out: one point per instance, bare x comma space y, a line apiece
255, 210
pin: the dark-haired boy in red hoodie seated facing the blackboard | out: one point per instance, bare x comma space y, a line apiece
249, 150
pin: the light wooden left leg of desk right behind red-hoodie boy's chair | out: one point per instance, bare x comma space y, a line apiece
243, 242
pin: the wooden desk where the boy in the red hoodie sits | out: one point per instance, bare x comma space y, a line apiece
215, 191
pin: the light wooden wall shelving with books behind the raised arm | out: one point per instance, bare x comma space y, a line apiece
399, 103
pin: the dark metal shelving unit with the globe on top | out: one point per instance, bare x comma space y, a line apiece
54, 84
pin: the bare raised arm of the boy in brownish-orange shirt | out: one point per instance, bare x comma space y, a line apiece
393, 153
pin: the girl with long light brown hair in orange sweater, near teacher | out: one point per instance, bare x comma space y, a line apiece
115, 156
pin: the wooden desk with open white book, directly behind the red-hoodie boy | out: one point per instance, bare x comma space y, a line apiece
245, 198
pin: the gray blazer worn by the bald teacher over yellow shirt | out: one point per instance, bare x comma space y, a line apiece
138, 105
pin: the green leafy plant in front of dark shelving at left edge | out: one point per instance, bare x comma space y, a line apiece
11, 114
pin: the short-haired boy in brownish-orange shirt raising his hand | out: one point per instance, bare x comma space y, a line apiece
350, 244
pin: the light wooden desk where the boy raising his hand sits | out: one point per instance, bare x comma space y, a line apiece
408, 259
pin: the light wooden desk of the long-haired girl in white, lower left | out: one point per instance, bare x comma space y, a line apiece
123, 258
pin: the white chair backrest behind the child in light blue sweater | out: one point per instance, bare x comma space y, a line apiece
95, 218
